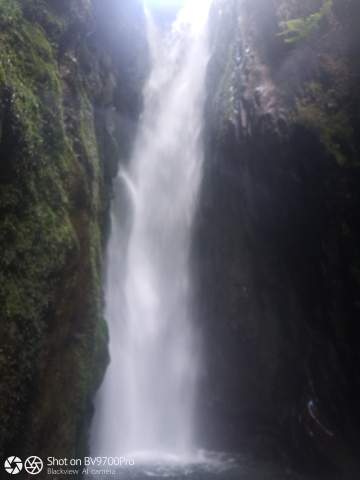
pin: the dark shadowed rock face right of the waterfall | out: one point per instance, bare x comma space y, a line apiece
277, 238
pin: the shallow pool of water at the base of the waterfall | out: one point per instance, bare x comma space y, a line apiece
204, 466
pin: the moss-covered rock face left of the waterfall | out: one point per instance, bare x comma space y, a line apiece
70, 95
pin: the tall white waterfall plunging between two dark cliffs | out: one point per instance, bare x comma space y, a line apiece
147, 400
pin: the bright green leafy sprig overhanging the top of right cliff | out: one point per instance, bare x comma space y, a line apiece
298, 29
